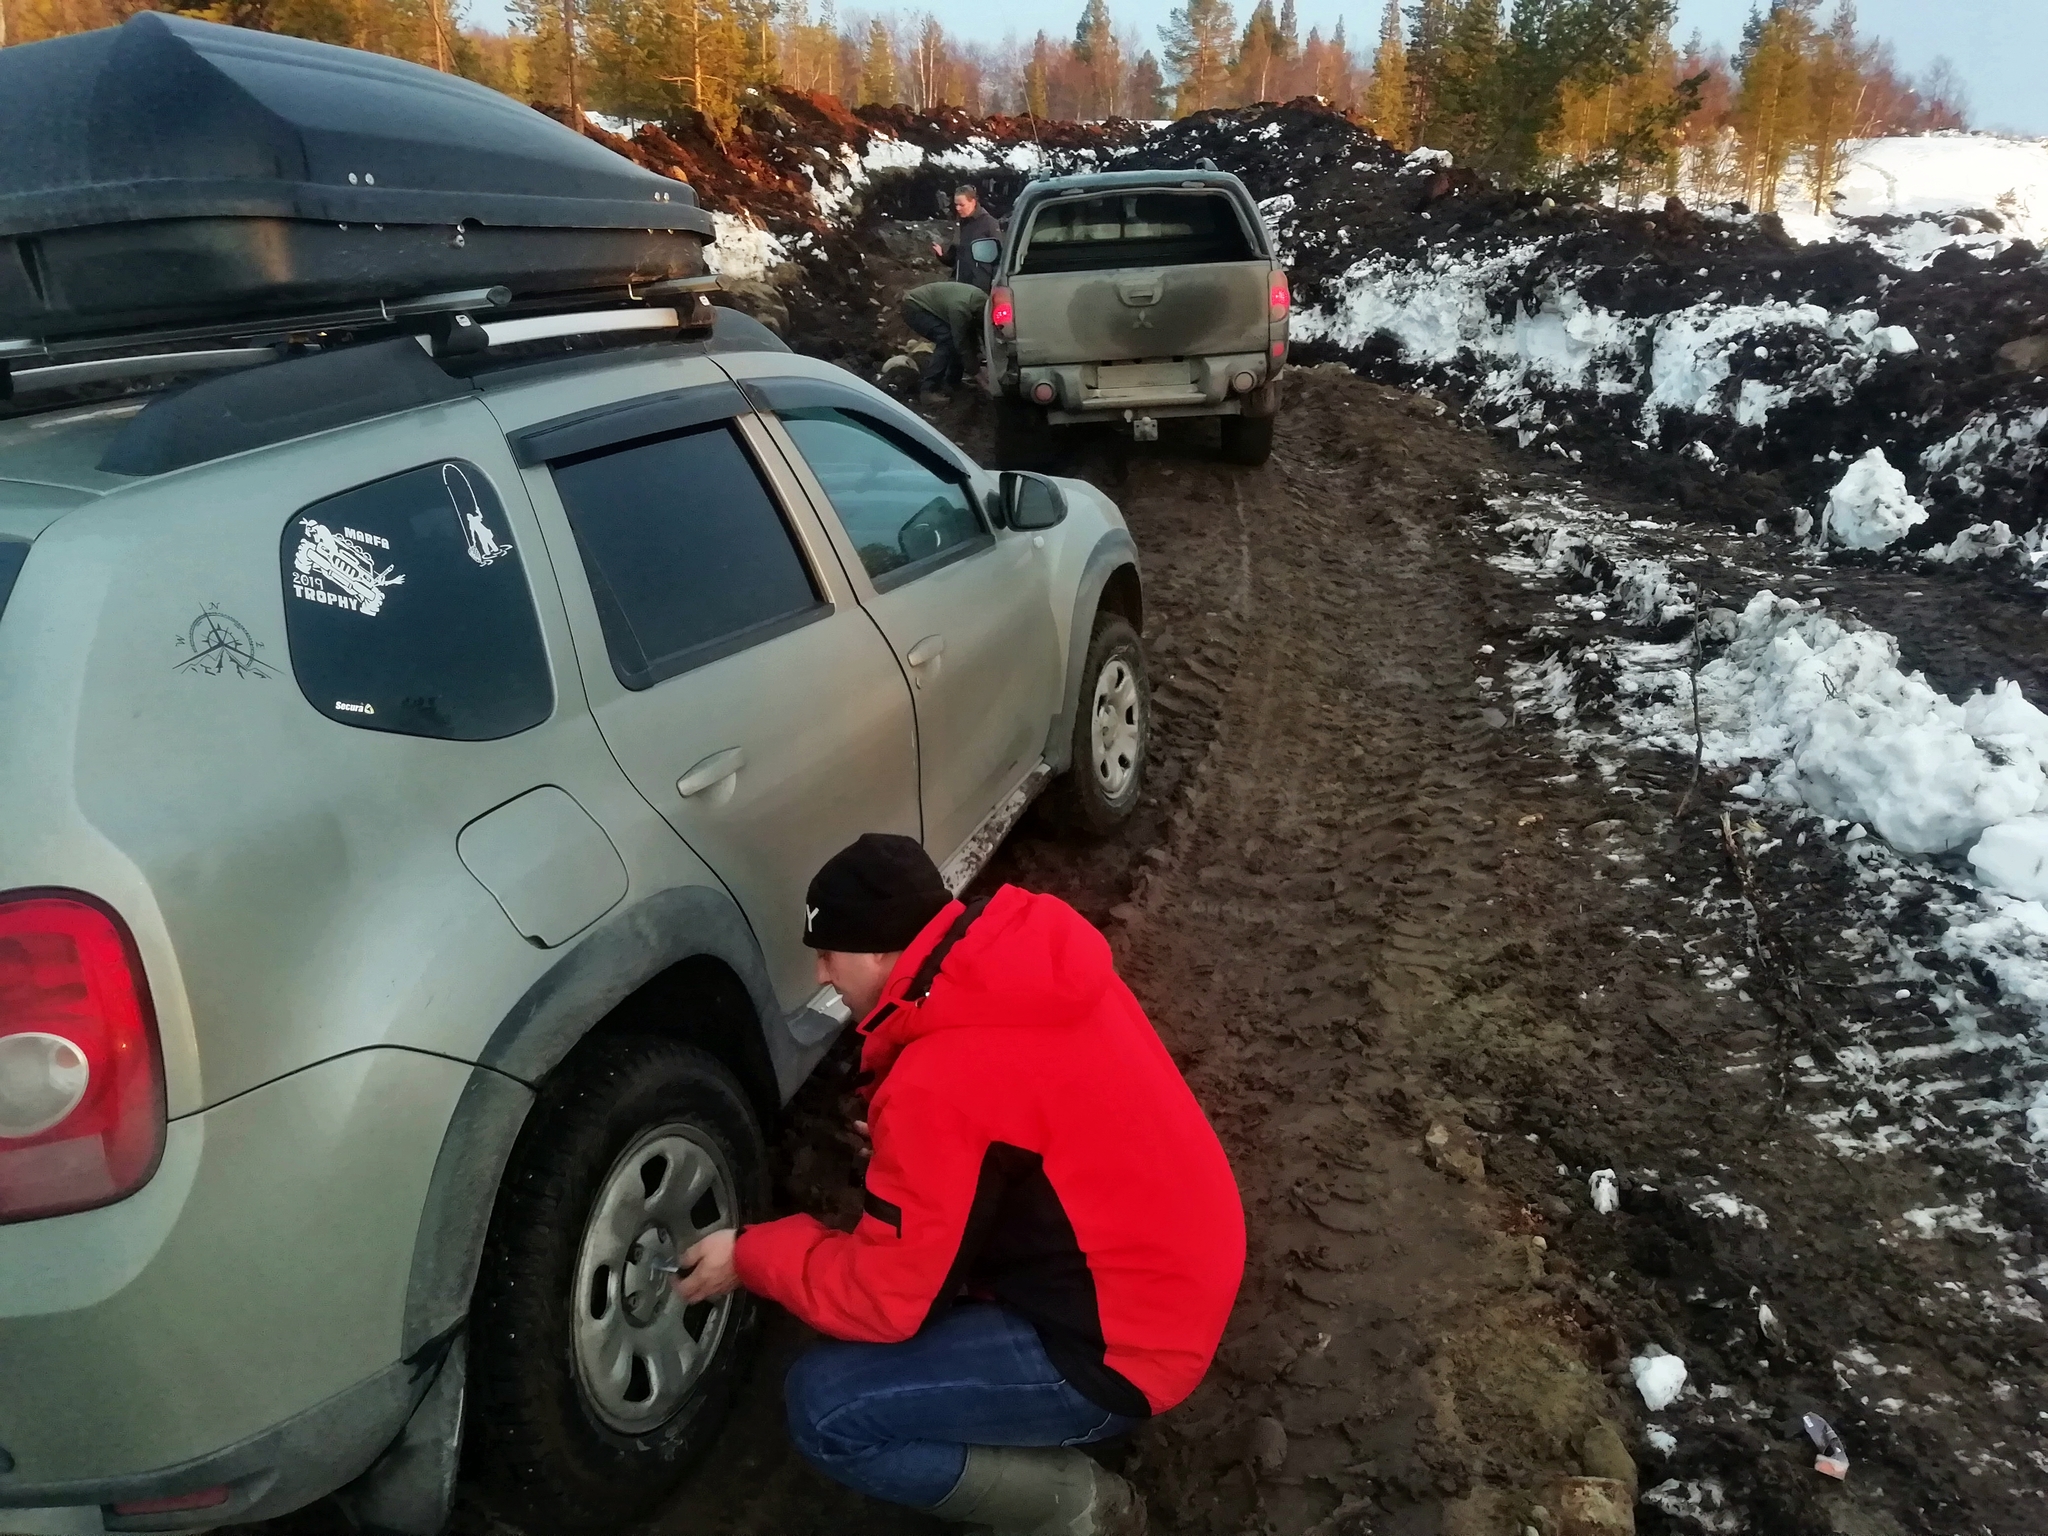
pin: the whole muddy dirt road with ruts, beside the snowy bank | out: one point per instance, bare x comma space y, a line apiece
1431, 976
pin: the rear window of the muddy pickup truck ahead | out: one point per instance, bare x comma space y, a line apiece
1136, 230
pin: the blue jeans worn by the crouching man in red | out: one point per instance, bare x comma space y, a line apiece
896, 1420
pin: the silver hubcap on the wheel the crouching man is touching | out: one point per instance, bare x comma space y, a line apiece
638, 1349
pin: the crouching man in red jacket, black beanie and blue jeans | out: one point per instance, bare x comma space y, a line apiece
1052, 1236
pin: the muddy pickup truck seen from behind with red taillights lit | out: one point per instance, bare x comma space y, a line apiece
1132, 298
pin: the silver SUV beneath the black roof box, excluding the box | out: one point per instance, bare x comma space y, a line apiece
413, 773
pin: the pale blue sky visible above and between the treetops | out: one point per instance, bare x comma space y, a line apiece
1998, 46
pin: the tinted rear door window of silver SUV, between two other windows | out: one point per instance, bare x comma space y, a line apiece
687, 552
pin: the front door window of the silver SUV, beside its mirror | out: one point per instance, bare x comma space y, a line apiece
904, 509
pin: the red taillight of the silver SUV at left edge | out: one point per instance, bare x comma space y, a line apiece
81, 1076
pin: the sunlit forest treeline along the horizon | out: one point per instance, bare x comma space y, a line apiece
1588, 93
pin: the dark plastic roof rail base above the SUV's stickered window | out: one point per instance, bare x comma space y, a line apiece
275, 404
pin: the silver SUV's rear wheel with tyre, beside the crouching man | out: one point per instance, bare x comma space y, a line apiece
593, 1388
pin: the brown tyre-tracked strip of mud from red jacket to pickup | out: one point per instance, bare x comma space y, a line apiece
1295, 941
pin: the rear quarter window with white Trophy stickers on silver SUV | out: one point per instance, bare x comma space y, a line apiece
407, 609
